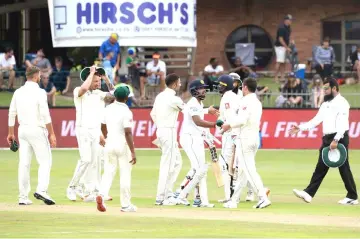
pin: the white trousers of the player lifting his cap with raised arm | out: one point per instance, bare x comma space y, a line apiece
88, 142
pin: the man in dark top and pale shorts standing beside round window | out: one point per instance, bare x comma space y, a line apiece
282, 46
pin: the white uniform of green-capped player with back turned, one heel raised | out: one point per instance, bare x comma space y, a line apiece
117, 118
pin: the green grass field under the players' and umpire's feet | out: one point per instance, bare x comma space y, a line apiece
281, 170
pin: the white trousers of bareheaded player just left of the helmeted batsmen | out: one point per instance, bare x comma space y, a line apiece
170, 162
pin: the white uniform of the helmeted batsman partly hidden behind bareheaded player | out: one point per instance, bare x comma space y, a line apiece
229, 105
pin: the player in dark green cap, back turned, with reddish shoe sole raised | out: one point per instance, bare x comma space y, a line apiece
119, 149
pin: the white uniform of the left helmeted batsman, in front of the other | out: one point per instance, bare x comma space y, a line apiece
192, 141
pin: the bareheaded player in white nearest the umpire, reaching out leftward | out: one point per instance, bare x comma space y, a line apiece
247, 143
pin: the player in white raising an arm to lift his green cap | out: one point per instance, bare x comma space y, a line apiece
89, 104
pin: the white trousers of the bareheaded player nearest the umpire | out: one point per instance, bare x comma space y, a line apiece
246, 149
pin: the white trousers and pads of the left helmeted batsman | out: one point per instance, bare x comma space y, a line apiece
193, 146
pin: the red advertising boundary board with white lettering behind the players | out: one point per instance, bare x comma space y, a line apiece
275, 127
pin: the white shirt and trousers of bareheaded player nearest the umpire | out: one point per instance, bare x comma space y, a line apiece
247, 143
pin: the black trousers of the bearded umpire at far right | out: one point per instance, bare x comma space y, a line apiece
321, 170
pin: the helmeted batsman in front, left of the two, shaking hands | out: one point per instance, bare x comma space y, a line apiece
192, 141
